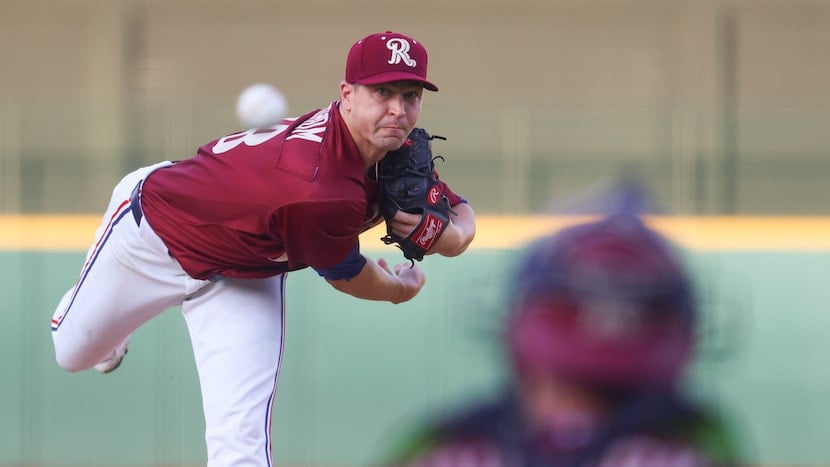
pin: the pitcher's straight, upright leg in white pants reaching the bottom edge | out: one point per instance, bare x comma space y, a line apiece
236, 327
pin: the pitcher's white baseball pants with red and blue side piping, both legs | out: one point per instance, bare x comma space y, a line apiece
236, 326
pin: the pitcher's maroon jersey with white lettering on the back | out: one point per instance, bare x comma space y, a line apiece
263, 202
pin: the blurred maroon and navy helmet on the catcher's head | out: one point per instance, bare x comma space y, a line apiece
604, 303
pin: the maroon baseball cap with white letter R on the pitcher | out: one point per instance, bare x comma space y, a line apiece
387, 56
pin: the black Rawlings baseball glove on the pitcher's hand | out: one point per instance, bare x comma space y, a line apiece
409, 184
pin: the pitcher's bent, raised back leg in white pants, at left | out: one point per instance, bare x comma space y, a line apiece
127, 279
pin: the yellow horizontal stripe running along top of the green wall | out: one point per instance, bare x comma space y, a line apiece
76, 232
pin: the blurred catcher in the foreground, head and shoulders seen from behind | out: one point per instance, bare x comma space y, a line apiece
601, 325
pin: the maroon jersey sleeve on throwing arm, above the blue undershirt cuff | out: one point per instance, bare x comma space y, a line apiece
320, 234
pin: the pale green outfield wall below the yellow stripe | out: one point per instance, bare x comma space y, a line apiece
357, 373
